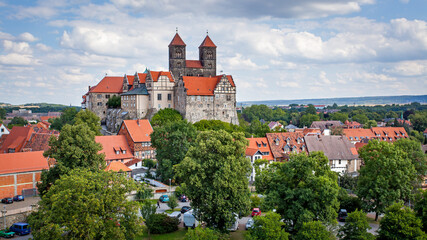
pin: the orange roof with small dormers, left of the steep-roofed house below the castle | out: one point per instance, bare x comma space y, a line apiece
113, 143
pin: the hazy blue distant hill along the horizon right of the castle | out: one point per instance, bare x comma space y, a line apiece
344, 101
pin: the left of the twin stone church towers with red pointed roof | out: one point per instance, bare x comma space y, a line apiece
177, 56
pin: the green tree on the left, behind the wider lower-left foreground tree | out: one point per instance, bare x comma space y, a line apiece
74, 148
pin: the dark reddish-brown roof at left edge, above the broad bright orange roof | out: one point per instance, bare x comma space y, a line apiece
16, 139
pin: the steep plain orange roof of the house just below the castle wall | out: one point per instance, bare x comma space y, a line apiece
139, 130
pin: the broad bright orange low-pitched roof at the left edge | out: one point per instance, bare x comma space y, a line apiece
22, 162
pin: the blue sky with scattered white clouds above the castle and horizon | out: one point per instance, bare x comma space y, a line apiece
52, 50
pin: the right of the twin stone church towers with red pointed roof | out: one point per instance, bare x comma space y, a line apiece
207, 56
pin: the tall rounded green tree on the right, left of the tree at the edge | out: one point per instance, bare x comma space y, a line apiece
386, 177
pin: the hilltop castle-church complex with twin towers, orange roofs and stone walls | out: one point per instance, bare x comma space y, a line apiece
192, 87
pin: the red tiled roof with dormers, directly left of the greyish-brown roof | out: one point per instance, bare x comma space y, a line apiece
278, 142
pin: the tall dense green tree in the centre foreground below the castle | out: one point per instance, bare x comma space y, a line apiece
215, 172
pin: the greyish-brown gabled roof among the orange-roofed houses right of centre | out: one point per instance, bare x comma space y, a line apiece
334, 147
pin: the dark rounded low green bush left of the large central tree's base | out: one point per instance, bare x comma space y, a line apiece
161, 223
